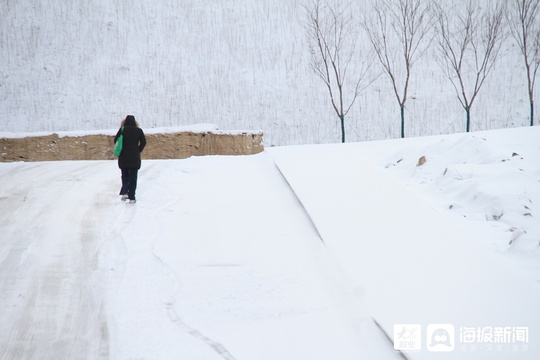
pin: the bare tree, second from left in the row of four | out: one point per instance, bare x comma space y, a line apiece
403, 25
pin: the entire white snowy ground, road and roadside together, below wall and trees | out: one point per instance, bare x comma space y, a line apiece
221, 259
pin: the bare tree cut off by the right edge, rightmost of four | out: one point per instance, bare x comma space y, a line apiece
524, 20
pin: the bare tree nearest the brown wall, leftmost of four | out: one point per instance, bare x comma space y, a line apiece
332, 44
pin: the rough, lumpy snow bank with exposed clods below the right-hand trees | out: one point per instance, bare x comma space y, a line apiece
491, 178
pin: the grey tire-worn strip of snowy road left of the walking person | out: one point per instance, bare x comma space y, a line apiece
53, 288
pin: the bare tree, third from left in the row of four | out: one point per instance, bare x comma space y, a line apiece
469, 43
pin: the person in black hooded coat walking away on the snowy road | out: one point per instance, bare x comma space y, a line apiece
129, 160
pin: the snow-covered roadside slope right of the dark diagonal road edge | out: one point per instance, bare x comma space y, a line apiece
397, 229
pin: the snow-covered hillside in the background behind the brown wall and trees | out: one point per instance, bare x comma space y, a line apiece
71, 65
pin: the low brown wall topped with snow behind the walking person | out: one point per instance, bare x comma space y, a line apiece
99, 147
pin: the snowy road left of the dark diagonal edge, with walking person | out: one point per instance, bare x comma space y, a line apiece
217, 260
